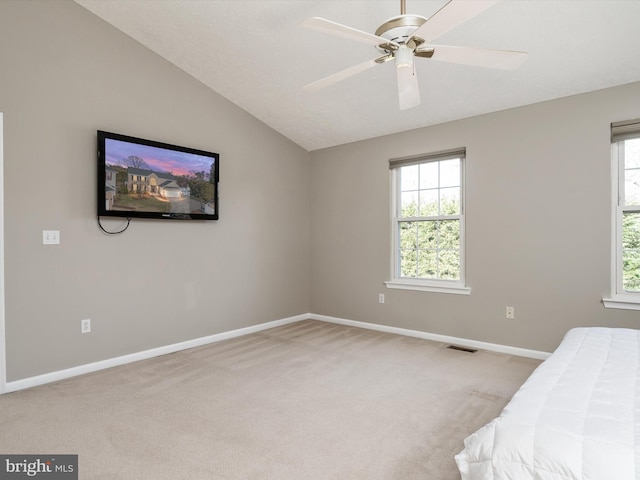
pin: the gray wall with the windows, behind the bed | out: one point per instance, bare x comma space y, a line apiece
538, 224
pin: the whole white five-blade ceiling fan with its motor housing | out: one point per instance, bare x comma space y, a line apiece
407, 36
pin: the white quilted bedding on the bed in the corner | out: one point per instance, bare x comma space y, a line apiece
576, 417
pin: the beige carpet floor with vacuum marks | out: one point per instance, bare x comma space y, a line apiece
309, 400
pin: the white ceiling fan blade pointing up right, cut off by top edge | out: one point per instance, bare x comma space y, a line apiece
450, 16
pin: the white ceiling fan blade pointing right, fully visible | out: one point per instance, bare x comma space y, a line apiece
479, 57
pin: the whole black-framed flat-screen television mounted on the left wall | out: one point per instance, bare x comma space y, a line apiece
140, 178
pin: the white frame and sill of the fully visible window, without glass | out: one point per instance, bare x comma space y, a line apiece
423, 284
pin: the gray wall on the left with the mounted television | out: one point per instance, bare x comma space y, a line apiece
65, 74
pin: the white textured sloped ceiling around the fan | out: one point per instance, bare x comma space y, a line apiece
256, 54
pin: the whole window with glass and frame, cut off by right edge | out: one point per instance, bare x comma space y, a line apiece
625, 249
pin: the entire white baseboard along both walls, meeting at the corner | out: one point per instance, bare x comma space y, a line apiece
197, 342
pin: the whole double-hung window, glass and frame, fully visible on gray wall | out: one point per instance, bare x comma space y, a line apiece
428, 222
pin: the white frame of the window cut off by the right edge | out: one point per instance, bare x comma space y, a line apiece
620, 298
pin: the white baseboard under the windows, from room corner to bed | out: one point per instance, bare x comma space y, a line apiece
493, 347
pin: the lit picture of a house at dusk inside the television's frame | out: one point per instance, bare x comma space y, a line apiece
141, 178
